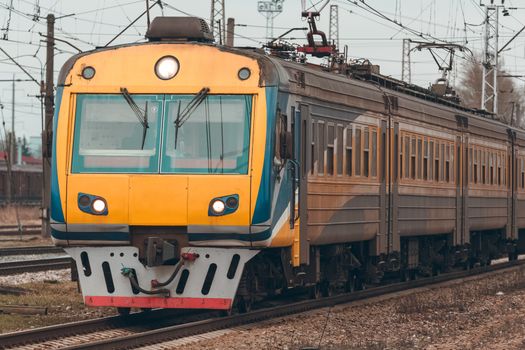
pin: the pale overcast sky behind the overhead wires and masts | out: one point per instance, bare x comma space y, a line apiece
373, 29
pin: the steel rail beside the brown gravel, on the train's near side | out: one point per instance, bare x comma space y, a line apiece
204, 326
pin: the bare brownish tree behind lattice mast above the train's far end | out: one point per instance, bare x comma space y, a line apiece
510, 96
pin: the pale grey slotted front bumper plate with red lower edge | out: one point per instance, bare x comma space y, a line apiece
208, 282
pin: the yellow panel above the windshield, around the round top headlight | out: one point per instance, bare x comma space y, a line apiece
133, 67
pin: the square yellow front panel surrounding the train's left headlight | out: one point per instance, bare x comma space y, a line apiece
113, 188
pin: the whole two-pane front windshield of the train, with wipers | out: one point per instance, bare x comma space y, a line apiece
213, 139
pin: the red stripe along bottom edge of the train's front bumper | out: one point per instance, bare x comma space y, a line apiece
159, 302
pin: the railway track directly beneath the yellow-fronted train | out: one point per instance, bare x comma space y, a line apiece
106, 334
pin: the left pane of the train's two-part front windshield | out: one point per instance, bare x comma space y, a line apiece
110, 138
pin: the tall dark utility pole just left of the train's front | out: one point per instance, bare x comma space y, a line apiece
47, 133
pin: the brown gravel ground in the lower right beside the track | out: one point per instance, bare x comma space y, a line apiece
480, 314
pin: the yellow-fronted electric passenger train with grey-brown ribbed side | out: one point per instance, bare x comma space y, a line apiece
187, 174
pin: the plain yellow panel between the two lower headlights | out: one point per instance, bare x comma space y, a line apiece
158, 200
